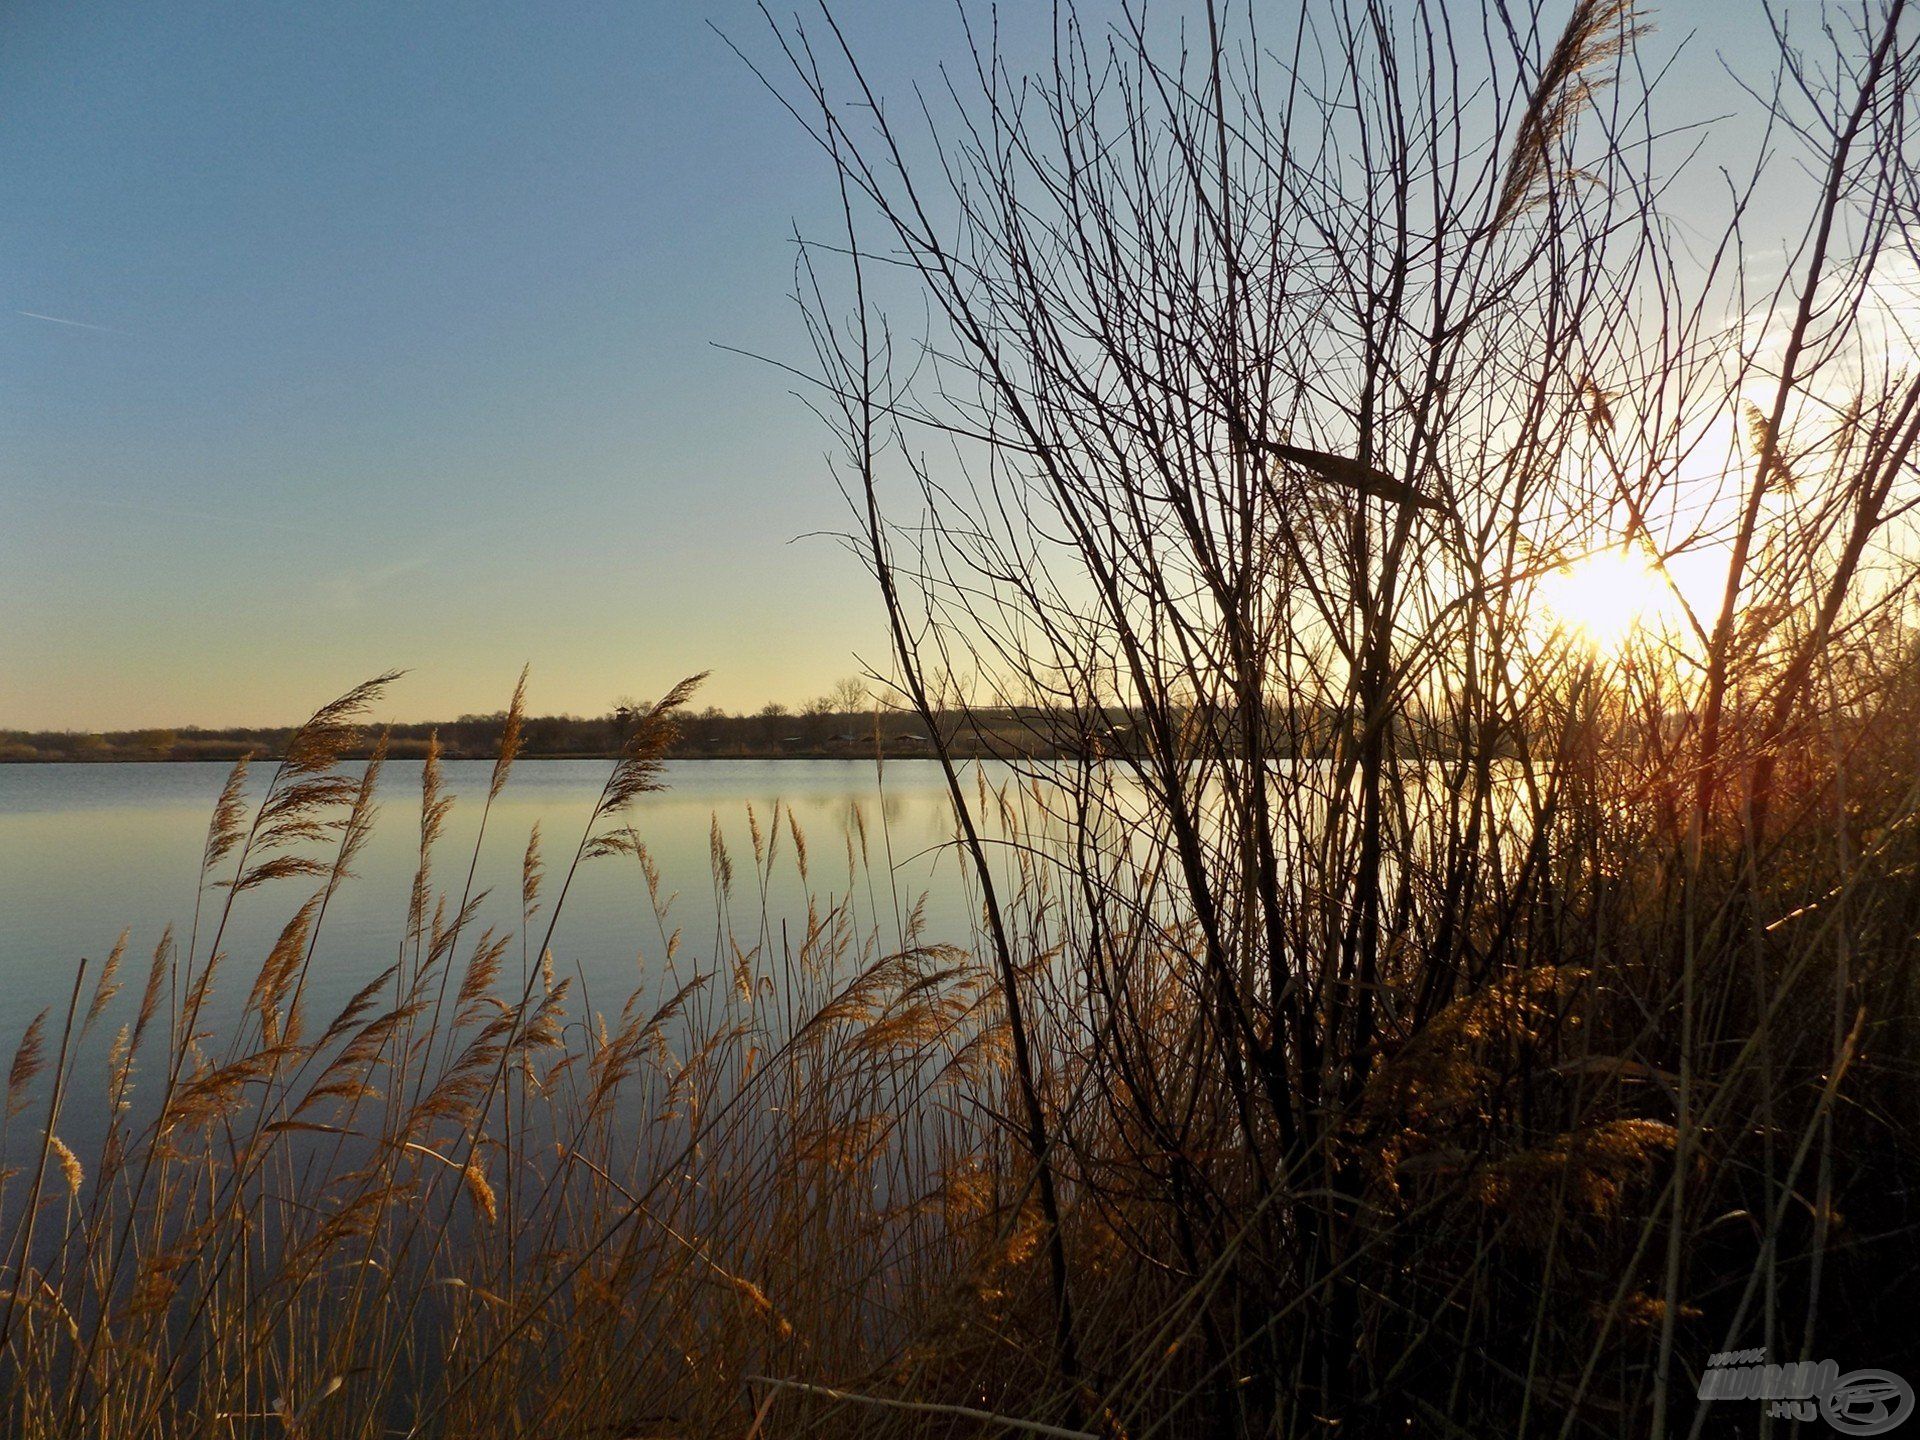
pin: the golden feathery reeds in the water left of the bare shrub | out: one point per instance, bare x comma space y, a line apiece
464, 1203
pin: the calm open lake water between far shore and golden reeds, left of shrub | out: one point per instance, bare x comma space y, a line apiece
93, 850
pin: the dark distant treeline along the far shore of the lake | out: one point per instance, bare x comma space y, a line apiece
773, 732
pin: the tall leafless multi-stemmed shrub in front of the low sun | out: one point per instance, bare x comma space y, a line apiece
1268, 379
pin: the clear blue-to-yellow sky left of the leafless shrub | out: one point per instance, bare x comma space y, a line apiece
364, 335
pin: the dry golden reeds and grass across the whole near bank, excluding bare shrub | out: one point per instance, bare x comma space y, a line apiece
786, 1188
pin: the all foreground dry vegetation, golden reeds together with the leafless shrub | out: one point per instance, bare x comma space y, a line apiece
1548, 1034
